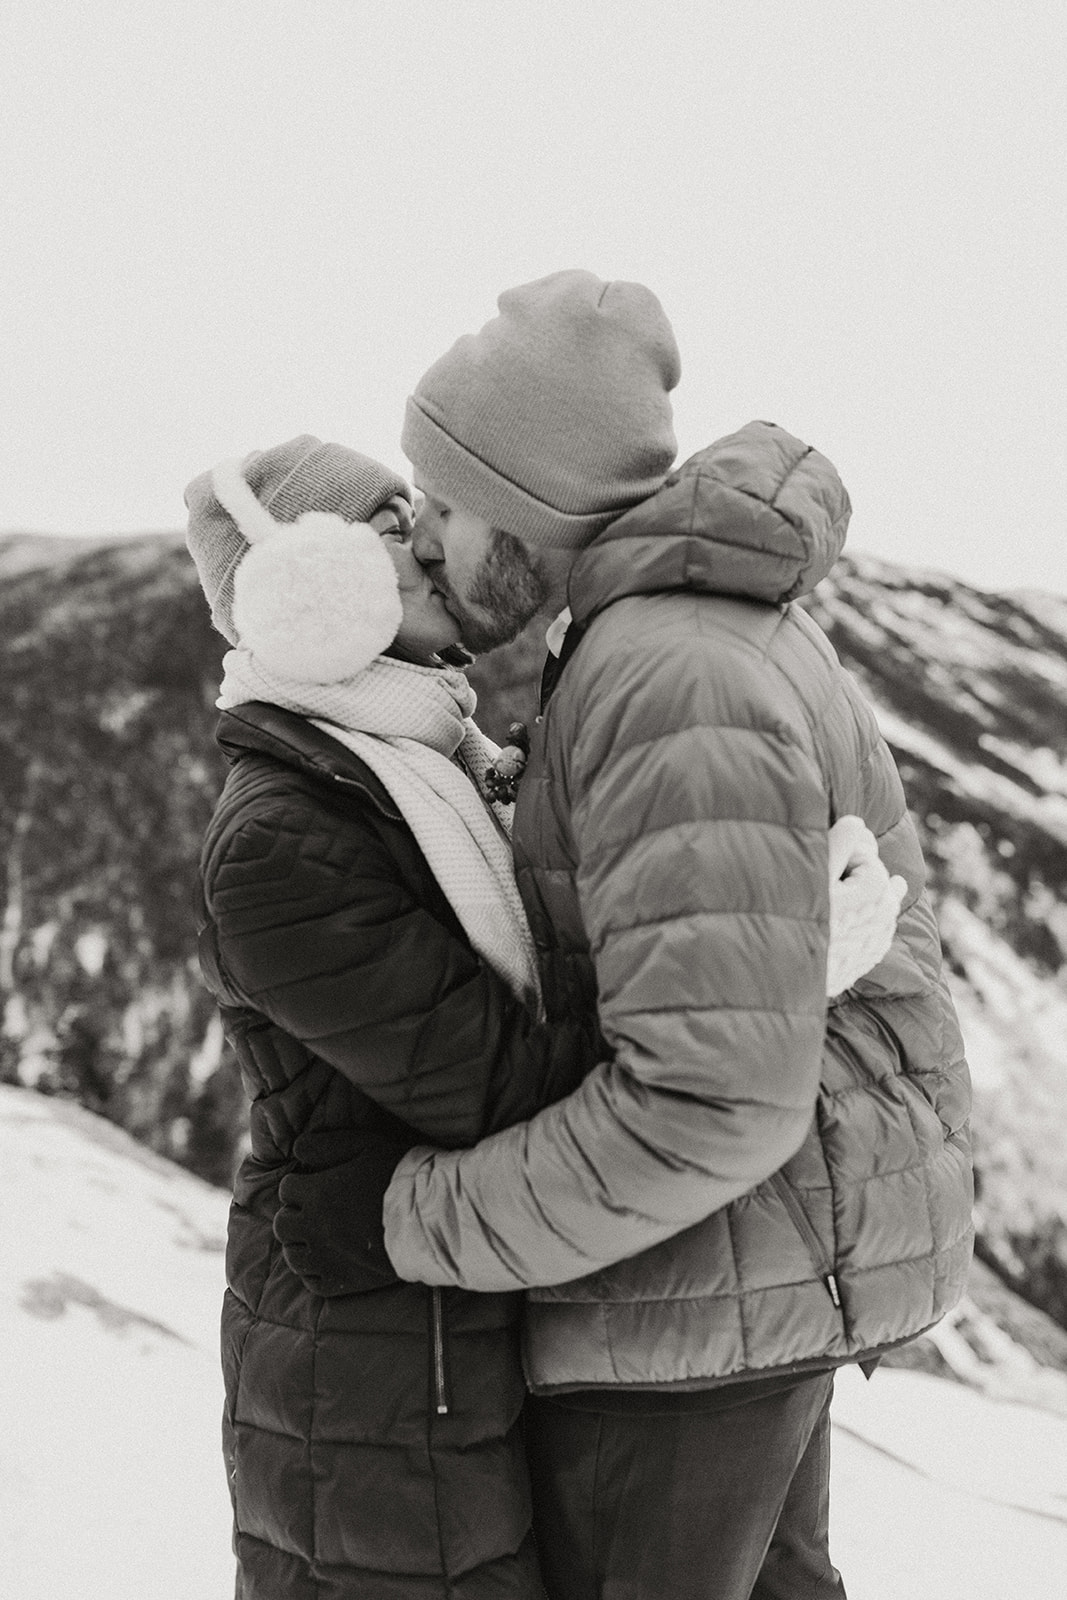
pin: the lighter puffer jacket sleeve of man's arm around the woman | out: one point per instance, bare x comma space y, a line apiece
700, 831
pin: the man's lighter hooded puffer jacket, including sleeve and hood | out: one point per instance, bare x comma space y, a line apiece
793, 1186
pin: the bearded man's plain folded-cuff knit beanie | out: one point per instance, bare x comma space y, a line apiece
556, 417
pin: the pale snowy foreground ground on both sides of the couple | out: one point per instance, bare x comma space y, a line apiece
111, 1479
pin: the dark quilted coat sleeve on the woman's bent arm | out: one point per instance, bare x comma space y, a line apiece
321, 934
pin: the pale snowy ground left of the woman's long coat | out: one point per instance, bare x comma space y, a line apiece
111, 1262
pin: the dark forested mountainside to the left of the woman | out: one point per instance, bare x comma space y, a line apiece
108, 777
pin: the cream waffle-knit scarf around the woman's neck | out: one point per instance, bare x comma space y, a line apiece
407, 724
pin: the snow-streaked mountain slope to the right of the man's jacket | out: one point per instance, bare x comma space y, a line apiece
972, 695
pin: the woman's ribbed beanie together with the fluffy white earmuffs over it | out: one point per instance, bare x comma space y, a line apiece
287, 562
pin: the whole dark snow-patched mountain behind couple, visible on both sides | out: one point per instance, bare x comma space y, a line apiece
108, 775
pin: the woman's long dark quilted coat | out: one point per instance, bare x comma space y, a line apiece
372, 1441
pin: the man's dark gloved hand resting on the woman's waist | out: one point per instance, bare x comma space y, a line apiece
330, 1222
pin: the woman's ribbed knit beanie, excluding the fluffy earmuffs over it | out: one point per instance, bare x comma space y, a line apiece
302, 476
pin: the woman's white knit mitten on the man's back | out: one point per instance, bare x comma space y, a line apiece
865, 905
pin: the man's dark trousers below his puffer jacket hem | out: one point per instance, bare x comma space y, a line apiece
729, 1503
